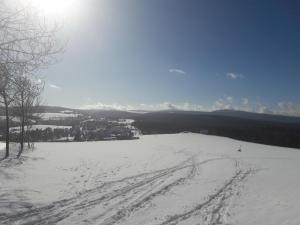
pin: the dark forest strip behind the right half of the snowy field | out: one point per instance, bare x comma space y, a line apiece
264, 132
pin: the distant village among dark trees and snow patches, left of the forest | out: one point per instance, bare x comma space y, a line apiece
81, 129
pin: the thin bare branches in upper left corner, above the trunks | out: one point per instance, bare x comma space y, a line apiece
26, 38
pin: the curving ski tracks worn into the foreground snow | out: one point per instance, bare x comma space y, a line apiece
116, 200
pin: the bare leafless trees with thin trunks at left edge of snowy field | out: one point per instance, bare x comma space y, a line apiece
27, 44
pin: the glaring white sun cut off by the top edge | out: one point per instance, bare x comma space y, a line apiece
56, 8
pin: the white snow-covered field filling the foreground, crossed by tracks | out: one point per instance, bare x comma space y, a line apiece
158, 179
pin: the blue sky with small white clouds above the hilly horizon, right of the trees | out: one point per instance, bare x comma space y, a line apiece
180, 54
